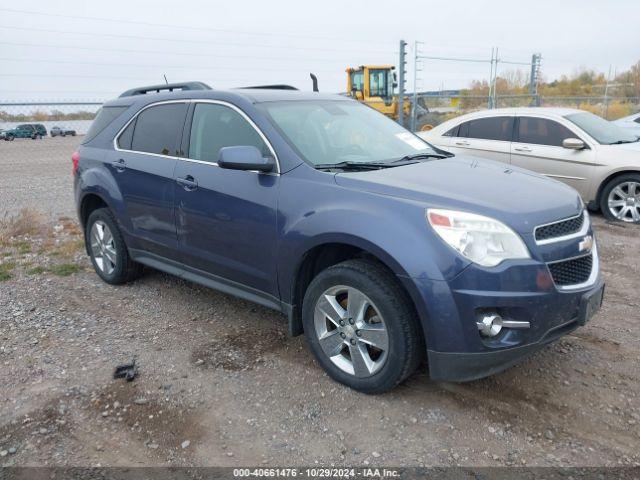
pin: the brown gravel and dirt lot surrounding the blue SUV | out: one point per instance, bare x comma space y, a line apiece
221, 384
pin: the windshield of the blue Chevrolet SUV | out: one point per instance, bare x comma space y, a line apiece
327, 132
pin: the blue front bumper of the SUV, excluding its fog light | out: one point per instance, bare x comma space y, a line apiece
456, 350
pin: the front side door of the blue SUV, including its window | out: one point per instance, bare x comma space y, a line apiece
226, 219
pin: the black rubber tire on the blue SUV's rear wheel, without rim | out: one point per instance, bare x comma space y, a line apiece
125, 269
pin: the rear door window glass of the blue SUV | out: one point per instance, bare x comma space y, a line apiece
158, 128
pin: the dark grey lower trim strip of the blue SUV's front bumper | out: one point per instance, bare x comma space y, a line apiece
462, 367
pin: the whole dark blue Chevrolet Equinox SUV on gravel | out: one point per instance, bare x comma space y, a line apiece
383, 250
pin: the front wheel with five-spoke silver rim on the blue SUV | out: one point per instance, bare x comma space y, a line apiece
361, 326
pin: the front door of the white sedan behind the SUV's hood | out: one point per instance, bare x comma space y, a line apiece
538, 146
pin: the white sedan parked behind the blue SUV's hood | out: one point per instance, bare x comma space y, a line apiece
596, 157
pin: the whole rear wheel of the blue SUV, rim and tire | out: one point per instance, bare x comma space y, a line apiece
107, 249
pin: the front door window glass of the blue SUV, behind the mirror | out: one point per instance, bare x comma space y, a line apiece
215, 126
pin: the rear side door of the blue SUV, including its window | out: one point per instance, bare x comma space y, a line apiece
142, 165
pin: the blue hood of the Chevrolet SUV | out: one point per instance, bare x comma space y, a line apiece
517, 197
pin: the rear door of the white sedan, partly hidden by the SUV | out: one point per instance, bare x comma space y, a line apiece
487, 137
